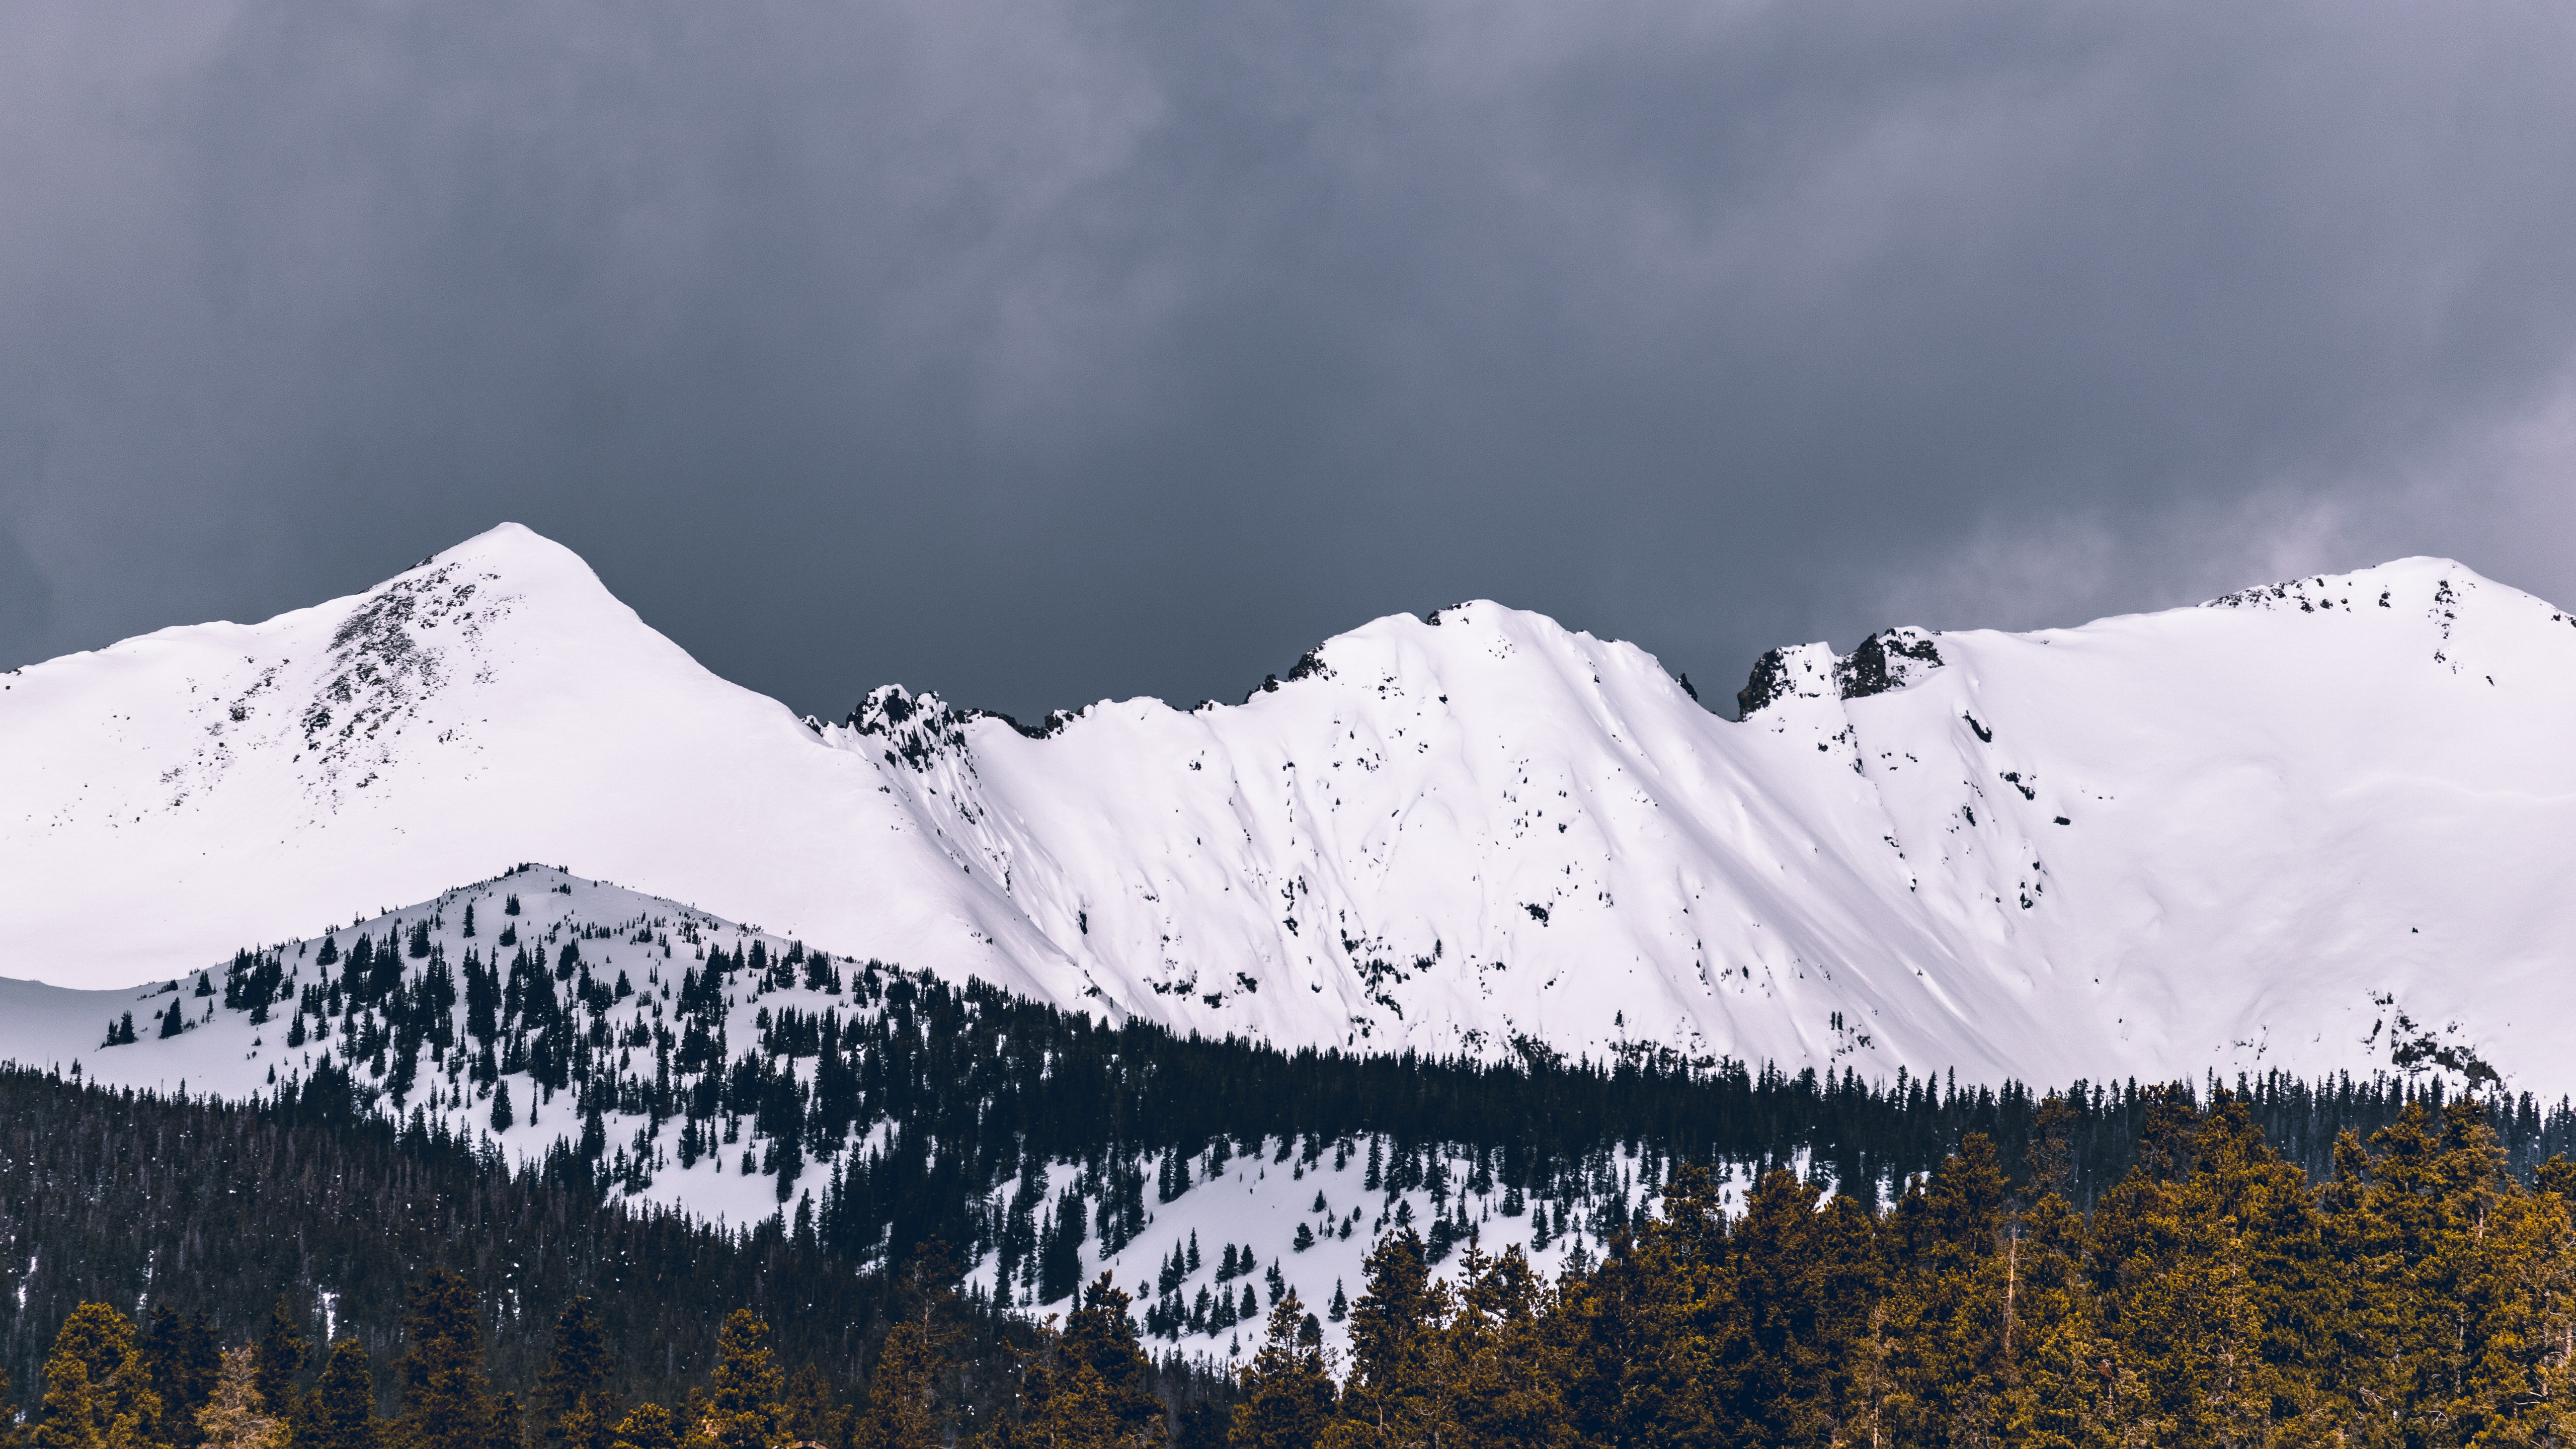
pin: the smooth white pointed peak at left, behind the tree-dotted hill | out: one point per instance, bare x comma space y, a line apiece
200, 788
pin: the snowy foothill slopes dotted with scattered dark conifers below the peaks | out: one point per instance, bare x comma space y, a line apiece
668, 1020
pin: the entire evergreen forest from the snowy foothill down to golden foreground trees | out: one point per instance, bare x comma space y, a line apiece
2263, 1262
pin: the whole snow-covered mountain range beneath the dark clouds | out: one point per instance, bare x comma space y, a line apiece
2312, 826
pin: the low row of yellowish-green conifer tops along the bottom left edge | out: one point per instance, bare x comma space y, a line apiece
171, 1386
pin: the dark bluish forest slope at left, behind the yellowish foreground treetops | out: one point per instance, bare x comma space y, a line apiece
225, 1211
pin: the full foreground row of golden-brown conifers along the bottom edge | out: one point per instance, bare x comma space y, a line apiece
2420, 1296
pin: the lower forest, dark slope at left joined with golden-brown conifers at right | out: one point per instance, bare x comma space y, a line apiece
2418, 1296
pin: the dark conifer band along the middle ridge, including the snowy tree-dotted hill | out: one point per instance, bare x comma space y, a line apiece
903, 1105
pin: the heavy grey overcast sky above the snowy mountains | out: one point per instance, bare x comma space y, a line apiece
1060, 349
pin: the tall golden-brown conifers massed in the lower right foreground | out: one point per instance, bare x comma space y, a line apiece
2214, 1298
